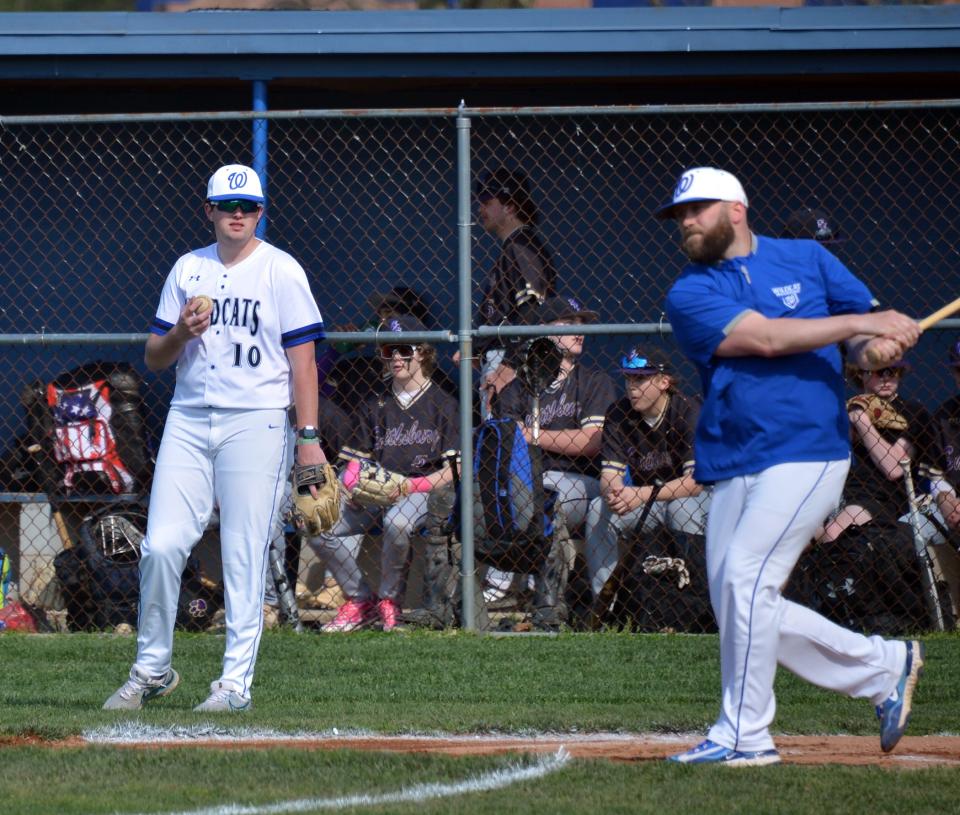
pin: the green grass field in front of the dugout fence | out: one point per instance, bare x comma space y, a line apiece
52, 687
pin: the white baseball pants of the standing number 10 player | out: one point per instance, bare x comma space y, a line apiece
237, 460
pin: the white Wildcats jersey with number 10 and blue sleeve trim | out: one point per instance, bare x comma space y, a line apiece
239, 361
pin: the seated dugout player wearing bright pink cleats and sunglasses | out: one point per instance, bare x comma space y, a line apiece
412, 429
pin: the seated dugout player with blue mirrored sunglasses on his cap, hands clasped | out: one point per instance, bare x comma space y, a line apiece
647, 435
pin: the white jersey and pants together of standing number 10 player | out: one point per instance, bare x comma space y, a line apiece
225, 443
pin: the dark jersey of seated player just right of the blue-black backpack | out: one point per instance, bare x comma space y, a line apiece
579, 400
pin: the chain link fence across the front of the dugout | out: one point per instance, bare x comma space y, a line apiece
98, 209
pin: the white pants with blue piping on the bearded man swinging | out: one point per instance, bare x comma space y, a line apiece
757, 529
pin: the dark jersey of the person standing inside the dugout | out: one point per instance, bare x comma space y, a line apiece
522, 277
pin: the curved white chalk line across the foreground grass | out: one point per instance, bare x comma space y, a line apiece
485, 782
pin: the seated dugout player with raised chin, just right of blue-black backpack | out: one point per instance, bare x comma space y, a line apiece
571, 414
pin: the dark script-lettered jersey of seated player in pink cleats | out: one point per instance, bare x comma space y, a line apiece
418, 439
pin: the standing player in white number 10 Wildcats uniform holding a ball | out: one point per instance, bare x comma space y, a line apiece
240, 363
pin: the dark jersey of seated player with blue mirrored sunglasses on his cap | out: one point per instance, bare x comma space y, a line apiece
640, 452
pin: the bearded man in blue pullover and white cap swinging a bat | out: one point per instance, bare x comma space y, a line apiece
761, 319
